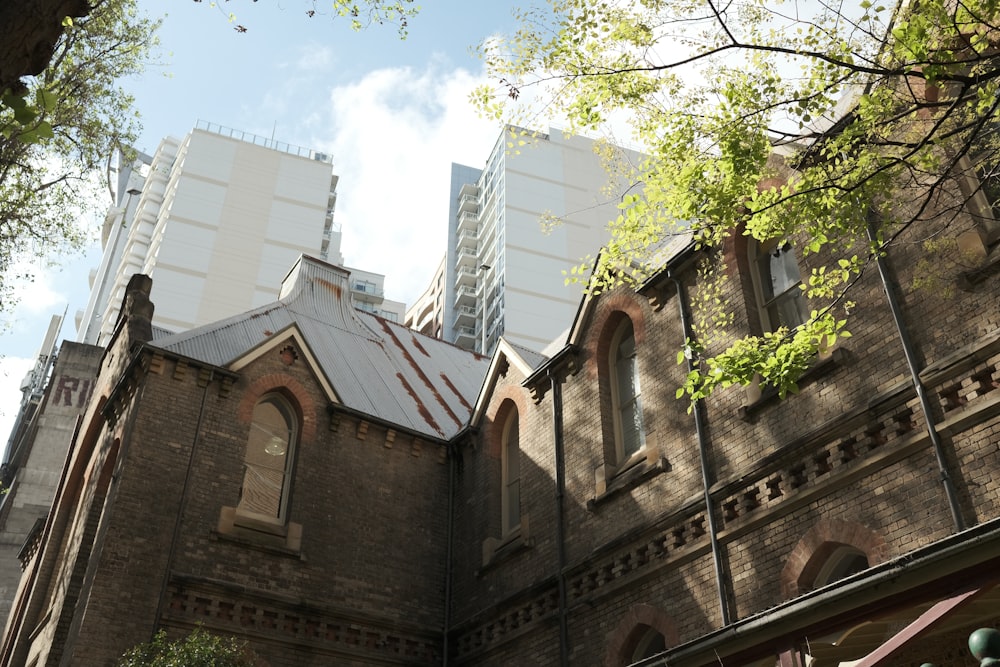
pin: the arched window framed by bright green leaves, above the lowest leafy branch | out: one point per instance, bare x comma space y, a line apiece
778, 284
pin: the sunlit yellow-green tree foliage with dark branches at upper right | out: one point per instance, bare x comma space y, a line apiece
811, 124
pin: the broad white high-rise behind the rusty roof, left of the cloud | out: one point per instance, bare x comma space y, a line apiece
217, 219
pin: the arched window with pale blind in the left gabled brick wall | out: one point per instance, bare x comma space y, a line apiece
267, 464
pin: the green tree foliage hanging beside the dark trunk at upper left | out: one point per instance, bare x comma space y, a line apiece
59, 129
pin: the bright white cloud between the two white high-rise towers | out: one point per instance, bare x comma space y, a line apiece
394, 135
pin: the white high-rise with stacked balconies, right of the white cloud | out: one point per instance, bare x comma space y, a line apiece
505, 273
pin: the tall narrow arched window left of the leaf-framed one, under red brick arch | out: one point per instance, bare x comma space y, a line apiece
630, 436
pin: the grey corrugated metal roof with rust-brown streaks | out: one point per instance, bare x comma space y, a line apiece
376, 367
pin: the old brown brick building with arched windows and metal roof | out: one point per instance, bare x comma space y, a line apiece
340, 490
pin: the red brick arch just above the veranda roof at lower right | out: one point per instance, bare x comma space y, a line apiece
816, 546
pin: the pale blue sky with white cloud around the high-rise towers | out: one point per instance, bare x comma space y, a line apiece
393, 113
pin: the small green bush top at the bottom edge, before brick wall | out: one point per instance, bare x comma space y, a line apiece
198, 649
